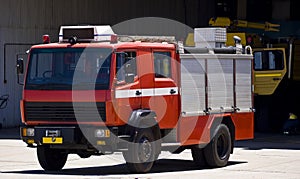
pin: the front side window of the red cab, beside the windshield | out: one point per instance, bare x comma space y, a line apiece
125, 61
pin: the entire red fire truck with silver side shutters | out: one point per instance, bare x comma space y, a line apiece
96, 93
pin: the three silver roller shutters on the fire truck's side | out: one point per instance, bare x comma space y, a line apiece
215, 83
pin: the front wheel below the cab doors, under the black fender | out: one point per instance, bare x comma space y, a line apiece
142, 152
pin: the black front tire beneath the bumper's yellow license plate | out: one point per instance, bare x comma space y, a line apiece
51, 159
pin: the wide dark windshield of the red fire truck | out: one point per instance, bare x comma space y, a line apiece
72, 81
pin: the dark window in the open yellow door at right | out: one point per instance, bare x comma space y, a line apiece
269, 60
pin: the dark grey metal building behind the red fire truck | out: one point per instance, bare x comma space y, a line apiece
23, 22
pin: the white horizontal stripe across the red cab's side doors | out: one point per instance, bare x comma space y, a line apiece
146, 92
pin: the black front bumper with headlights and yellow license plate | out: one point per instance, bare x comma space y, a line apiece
101, 139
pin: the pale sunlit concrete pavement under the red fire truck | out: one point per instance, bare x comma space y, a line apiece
267, 156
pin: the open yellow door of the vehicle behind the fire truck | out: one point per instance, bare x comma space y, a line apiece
269, 69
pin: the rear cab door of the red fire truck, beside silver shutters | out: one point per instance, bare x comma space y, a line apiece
166, 94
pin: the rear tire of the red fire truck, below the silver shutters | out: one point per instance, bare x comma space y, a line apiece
217, 152
